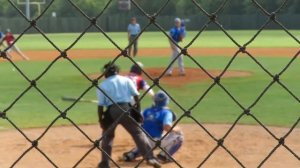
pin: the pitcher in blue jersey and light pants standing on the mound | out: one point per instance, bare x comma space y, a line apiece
177, 33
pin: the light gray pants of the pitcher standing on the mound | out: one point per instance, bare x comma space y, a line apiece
175, 53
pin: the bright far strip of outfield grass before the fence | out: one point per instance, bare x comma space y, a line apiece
267, 38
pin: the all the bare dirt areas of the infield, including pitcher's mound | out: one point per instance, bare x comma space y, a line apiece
66, 145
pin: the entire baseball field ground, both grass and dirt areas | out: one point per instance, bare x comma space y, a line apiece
245, 80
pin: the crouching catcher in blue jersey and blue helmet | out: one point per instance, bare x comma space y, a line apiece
157, 119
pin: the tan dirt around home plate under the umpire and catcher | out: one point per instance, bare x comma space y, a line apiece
66, 145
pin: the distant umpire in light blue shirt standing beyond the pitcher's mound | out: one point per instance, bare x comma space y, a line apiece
133, 31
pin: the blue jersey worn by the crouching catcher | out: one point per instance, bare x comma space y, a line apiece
154, 120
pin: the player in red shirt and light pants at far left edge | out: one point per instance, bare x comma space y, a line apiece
9, 39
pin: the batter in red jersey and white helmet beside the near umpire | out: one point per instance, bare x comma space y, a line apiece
136, 76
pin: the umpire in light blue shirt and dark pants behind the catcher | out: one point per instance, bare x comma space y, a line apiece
121, 90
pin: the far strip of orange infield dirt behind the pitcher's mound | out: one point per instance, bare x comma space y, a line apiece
47, 55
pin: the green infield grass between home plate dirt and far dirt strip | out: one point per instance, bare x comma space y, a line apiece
276, 107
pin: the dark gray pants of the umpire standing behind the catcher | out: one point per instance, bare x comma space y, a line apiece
139, 137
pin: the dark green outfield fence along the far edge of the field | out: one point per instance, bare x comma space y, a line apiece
118, 23
